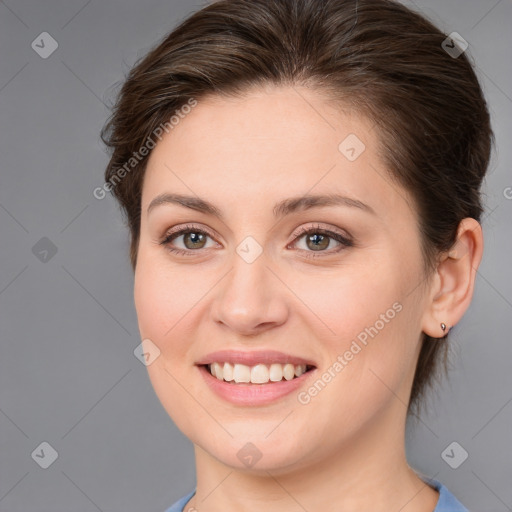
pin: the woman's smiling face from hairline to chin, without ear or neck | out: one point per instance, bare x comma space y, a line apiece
347, 299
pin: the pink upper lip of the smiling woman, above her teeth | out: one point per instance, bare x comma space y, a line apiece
252, 358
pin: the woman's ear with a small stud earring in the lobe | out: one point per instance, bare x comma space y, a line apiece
454, 280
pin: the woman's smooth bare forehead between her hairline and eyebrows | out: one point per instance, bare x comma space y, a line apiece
271, 143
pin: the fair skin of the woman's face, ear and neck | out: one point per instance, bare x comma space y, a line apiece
344, 450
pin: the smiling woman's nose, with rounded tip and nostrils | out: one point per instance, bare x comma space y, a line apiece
251, 298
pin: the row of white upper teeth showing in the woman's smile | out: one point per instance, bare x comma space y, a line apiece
258, 374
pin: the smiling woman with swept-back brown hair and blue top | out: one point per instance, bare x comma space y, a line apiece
301, 183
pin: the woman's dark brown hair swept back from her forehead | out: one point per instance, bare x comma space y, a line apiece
385, 60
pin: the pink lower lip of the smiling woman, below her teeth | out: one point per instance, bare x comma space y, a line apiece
253, 394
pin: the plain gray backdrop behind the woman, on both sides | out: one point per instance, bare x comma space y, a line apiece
68, 374
